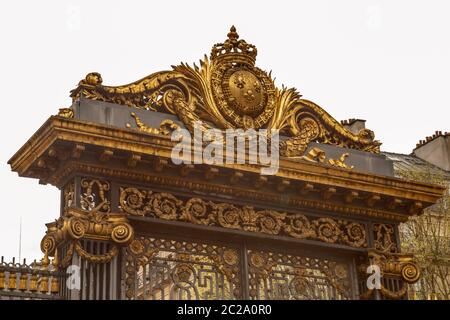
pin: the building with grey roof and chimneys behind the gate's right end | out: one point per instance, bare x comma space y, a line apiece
428, 235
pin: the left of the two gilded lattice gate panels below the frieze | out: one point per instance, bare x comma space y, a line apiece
169, 269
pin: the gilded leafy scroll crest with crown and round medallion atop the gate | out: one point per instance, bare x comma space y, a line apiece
227, 91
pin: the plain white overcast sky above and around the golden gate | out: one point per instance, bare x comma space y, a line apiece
383, 61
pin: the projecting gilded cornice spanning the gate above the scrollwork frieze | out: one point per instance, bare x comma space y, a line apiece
64, 134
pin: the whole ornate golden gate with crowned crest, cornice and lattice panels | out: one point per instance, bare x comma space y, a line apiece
139, 225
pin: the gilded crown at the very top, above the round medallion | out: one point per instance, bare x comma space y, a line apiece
234, 50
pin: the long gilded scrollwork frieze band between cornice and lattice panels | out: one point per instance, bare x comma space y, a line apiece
166, 206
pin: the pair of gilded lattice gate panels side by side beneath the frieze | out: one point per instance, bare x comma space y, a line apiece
164, 269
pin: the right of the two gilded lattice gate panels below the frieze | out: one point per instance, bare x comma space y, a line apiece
283, 276
